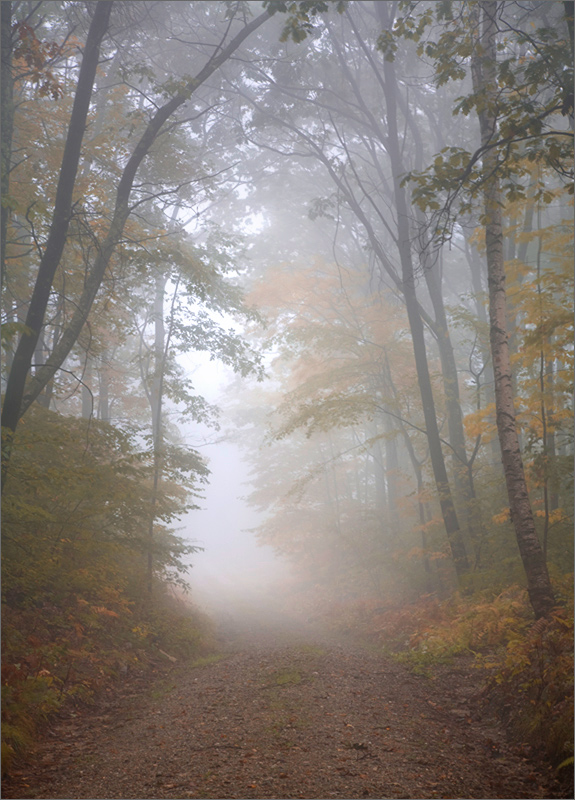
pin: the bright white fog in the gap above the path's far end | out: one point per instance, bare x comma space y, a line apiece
233, 575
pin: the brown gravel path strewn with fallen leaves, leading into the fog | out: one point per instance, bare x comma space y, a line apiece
284, 713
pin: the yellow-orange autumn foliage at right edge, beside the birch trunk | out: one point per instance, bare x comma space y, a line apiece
541, 323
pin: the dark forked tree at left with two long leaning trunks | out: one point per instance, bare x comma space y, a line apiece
18, 398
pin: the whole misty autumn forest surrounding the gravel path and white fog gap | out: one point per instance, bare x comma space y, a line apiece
364, 212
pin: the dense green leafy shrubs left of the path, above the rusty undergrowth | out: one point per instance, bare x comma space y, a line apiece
77, 500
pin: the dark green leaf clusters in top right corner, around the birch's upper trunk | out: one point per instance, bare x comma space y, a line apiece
535, 95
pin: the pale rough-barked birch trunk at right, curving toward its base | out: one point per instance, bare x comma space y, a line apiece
485, 84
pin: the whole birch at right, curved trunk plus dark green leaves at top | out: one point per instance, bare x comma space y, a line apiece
518, 103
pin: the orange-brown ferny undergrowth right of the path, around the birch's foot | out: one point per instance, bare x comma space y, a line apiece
527, 666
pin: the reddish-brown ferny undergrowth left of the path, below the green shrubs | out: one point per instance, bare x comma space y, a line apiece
54, 658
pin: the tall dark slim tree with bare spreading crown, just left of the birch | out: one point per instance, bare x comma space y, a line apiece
340, 124
